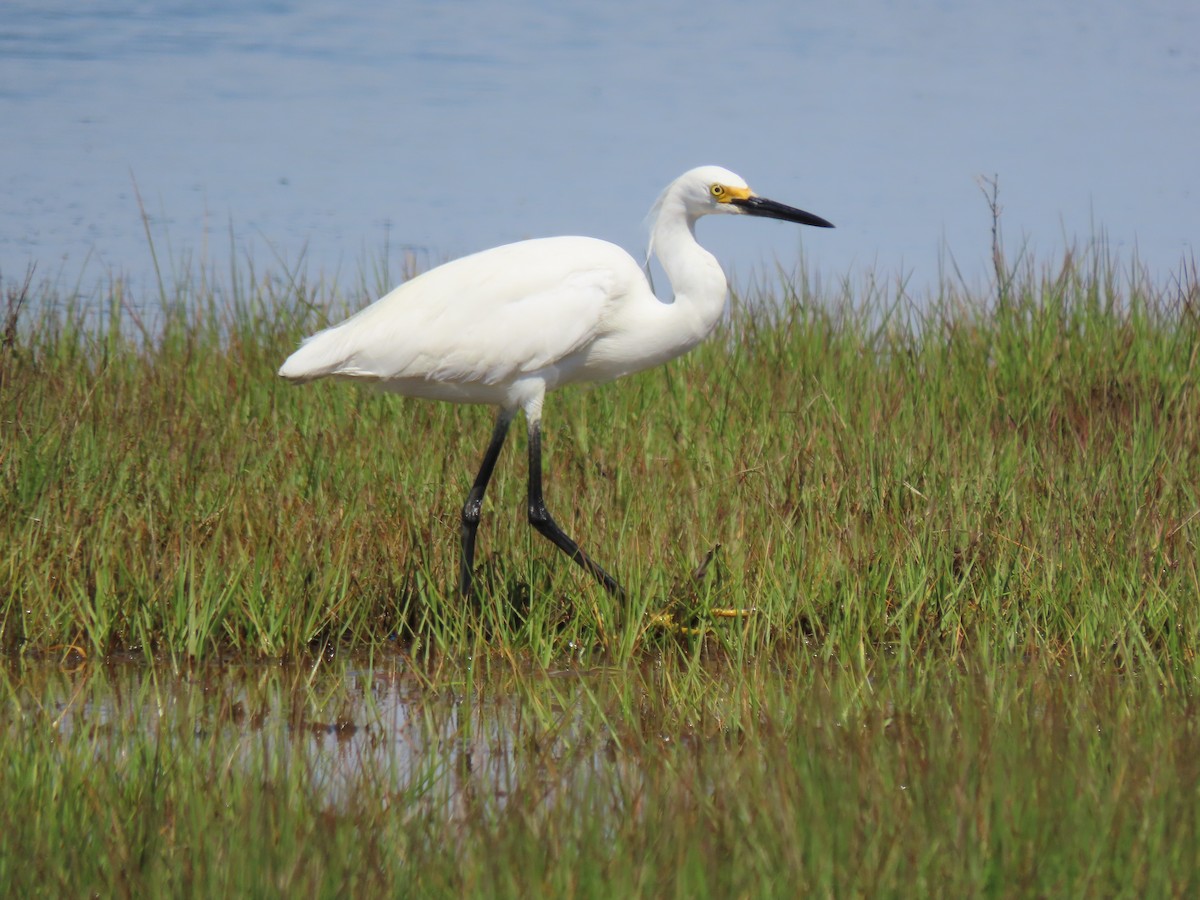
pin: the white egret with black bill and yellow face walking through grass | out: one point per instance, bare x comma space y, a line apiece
507, 326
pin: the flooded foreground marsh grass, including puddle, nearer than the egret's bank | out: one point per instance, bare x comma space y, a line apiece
675, 778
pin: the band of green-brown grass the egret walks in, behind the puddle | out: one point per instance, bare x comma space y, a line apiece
1021, 475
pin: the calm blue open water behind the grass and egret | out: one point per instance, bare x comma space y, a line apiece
319, 135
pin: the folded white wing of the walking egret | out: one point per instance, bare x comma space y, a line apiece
481, 320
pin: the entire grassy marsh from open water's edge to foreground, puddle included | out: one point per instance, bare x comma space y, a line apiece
967, 525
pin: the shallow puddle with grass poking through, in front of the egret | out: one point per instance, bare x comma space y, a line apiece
386, 730
